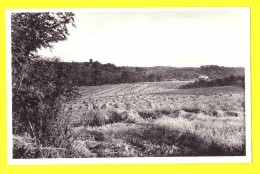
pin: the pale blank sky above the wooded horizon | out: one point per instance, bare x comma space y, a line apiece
178, 37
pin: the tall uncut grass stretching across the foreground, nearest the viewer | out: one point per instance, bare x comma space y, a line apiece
154, 133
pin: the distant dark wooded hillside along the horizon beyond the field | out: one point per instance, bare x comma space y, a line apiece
96, 73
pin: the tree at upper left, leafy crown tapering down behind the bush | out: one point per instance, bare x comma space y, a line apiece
30, 31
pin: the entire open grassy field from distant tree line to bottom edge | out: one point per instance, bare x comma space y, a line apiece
157, 119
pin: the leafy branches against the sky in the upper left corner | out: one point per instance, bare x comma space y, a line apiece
35, 30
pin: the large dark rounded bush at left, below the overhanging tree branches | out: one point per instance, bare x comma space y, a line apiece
37, 99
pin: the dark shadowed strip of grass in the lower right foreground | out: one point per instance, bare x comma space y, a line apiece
190, 144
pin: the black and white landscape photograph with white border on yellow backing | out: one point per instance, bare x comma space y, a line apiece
126, 85
